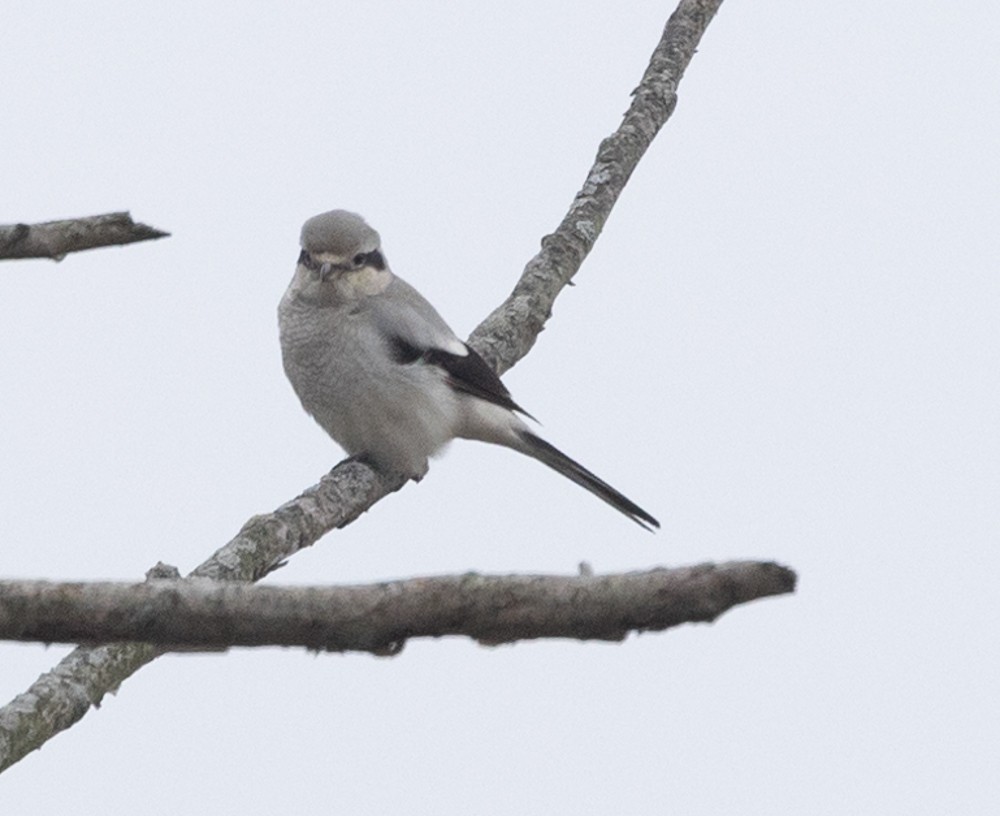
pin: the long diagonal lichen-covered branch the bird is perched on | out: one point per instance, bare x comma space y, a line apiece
62, 696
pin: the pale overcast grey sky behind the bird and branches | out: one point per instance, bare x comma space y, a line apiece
785, 346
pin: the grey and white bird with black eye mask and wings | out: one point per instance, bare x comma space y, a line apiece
380, 371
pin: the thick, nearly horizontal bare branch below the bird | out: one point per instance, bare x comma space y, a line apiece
379, 618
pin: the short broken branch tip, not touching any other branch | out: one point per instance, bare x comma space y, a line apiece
56, 239
